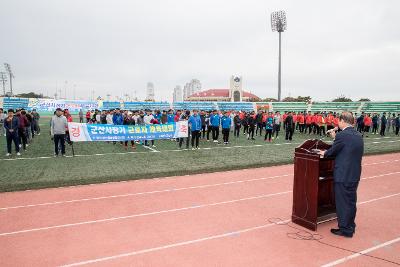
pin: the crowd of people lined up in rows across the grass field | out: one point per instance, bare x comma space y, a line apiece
22, 126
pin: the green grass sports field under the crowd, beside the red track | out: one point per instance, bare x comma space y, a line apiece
97, 162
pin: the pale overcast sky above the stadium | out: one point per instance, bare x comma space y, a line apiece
115, 47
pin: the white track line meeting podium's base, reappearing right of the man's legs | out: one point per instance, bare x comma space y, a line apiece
188, 242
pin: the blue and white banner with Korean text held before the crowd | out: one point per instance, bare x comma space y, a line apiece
82, 132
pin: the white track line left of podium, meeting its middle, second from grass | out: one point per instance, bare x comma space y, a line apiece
143, 214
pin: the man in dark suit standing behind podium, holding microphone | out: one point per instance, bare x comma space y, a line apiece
348, 149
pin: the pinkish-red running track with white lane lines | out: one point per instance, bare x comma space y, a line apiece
216, 219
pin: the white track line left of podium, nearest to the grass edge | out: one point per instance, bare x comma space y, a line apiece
144, 193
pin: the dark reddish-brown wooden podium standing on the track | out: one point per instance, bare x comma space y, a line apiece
313, 195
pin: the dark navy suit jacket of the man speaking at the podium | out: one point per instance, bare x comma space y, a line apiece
348, 149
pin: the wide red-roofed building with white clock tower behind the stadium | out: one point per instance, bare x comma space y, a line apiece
235, 93
